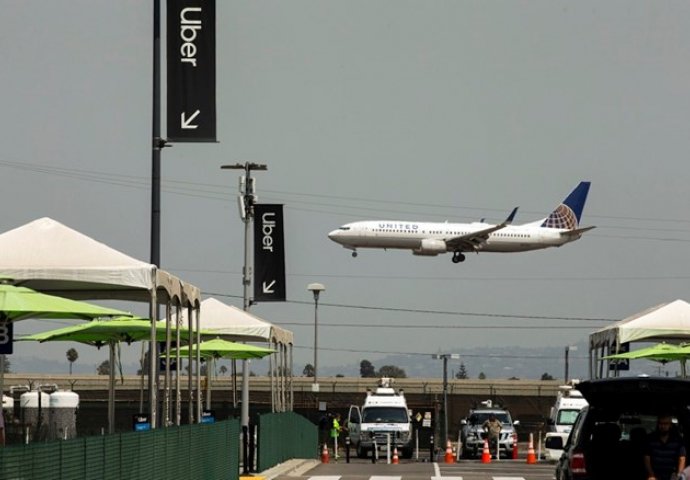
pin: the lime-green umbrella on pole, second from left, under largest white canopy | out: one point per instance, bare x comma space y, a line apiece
106, 332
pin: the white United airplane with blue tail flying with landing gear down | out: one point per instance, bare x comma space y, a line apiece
430, 239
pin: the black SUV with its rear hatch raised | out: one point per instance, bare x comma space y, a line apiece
608, 438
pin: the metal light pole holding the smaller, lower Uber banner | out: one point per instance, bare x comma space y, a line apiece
247, 199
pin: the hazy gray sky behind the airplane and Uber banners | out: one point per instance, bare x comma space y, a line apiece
411, 110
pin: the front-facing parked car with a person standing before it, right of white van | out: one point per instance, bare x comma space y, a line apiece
472, 433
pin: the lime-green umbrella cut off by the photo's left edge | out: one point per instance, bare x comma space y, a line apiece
21, 303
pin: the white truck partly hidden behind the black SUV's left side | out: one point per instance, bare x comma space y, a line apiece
562, 415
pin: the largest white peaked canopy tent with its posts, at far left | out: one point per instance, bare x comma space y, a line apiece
50, 257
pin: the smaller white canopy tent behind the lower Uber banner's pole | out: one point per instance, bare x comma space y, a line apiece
232, 323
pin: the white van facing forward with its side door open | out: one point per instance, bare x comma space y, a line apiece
383, 421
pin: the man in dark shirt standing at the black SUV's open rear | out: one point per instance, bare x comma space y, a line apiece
665, 454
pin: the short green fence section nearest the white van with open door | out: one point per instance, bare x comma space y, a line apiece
283, 436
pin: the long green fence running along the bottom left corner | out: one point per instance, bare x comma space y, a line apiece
204, 452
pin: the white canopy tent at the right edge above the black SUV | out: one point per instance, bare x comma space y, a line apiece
667, 322
